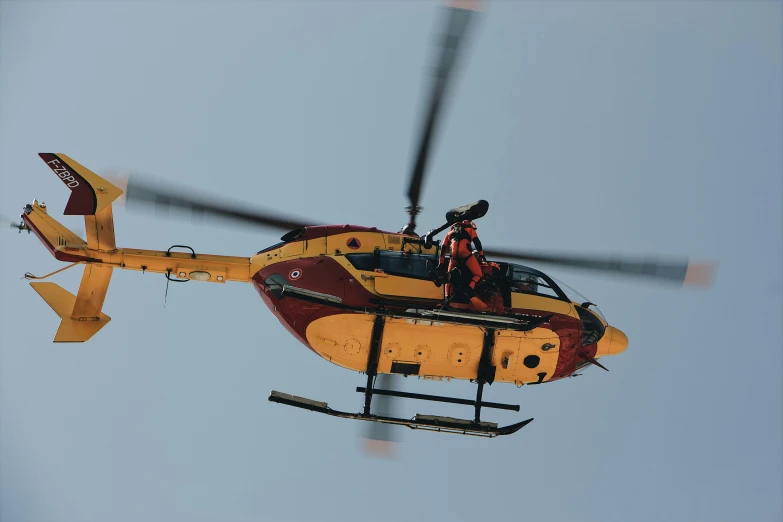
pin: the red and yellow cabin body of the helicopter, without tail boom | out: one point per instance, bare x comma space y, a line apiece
367, 270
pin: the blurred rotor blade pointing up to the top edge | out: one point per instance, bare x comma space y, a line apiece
458, 17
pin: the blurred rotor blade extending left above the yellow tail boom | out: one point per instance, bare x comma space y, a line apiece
162, 198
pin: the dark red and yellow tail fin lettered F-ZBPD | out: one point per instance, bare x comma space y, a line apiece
90, 193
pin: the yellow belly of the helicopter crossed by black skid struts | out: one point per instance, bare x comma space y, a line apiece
441, 350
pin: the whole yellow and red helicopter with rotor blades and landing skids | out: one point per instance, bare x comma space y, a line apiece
369, 300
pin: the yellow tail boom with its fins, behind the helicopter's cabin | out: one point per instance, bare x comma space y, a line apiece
81, 315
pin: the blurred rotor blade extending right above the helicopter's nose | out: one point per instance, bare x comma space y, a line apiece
683, 272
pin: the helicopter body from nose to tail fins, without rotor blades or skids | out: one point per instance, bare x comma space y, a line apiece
361, 298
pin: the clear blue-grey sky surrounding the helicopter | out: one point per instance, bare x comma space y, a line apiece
641, 127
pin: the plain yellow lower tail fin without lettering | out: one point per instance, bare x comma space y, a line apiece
80, 314
